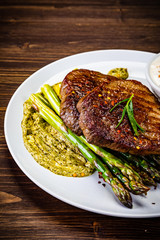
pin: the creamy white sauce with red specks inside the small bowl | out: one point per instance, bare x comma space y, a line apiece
155, 71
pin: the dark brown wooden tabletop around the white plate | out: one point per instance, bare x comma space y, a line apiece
34, 33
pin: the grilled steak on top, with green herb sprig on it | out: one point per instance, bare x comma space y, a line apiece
98, 123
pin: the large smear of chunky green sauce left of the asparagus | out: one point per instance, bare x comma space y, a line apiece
50, 148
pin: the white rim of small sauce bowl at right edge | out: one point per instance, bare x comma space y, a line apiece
154, 86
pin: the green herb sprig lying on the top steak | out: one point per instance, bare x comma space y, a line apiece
129, 109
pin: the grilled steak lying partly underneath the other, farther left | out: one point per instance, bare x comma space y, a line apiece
75, 85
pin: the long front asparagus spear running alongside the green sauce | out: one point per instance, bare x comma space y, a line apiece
55, 121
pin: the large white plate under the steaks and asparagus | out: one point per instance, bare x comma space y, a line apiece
84, 193
